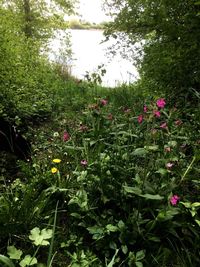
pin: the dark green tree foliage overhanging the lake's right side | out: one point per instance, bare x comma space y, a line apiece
171, 30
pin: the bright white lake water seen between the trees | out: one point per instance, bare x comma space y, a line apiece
89, 52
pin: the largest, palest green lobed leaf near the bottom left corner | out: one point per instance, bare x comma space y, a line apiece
39, 237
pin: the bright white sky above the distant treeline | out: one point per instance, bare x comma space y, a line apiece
91, 10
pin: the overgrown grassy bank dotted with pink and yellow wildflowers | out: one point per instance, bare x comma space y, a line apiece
113, 180
